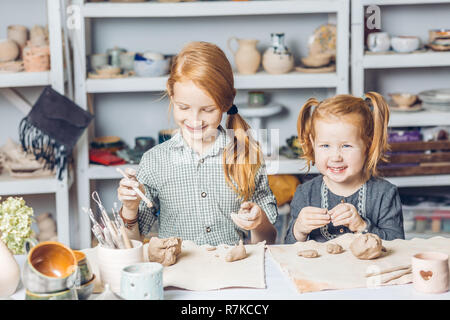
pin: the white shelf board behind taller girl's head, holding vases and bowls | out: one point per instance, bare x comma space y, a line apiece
260, 80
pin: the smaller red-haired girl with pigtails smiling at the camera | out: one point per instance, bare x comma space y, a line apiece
345, 137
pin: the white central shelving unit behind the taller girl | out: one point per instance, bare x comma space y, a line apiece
294, 80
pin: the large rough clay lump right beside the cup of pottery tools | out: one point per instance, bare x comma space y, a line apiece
164, 251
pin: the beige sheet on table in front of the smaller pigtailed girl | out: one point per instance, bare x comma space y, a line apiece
345, 271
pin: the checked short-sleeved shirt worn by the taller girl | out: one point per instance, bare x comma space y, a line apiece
191, 194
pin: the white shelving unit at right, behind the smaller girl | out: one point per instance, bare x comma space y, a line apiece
362, 62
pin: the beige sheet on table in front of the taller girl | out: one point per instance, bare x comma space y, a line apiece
200, 269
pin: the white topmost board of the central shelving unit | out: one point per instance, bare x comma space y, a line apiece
206, 8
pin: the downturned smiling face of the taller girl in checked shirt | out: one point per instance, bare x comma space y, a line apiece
194, 111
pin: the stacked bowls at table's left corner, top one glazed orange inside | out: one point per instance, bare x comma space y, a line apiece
51, 273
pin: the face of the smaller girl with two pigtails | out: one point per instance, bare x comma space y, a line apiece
338, 148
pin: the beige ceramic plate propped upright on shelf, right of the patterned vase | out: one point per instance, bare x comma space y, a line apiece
323, 40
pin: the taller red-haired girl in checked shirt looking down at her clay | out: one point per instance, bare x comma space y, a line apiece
199, 177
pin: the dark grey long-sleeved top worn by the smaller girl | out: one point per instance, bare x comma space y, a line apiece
378, 203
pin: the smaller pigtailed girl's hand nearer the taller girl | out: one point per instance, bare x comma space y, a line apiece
310, 218
